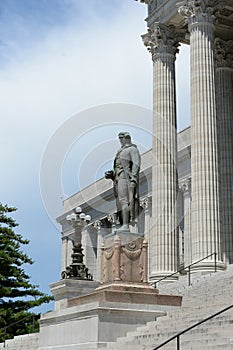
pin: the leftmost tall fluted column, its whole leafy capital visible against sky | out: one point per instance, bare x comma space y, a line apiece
162, 42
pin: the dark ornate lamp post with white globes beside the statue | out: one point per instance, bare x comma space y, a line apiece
77, 269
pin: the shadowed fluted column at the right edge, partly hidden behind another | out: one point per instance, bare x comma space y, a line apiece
224, 86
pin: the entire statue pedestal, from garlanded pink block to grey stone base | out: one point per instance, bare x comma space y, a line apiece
89, 315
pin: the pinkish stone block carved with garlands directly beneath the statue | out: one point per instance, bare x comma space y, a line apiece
126, 262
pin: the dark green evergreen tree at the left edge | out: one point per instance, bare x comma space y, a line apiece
17, 294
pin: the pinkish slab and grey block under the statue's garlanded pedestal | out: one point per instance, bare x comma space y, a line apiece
92, 321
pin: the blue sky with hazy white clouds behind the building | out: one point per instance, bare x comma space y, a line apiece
59, 58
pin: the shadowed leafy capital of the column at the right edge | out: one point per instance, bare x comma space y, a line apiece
224, 53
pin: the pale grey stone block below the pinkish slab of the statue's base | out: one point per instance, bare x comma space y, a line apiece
94, 324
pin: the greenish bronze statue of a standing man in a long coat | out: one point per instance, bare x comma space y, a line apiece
125, 175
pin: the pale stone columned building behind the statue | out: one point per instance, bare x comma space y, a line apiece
185, 216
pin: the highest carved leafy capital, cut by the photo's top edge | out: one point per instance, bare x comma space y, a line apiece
199, 11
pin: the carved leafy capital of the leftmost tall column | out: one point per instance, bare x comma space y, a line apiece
162, 40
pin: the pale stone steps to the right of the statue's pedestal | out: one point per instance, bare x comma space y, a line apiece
207, 295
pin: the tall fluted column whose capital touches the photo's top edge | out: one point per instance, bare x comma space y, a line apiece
204, 159
